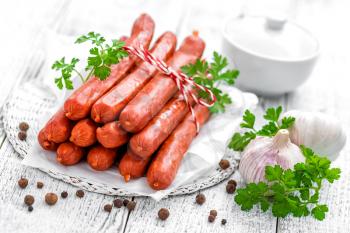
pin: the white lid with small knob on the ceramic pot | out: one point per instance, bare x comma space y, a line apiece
271, 37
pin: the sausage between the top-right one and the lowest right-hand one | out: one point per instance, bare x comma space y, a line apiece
147, 141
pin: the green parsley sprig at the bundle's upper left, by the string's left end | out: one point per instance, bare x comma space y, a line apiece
102, 56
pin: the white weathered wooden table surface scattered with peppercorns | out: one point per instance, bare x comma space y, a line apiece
22, 25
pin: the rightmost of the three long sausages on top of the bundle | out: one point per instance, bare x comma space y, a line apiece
157, 92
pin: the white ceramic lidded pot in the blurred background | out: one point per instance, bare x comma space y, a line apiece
273, 55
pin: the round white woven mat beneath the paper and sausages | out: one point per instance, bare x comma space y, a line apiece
30, 101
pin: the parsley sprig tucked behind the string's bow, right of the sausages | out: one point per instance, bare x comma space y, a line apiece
210, 75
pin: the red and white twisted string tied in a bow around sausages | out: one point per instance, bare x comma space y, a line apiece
184, 83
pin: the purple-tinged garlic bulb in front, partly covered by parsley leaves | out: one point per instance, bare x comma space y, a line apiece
264, 151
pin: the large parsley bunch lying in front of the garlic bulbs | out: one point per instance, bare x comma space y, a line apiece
292, 191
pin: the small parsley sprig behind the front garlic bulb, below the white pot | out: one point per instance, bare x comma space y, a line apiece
240, 140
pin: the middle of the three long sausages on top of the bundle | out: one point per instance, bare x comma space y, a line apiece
109, 106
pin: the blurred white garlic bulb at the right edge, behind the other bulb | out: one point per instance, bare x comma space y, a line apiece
321, 132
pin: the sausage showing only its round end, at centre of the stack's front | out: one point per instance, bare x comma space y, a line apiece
111, 135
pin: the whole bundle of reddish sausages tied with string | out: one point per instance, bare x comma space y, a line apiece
136, 115
